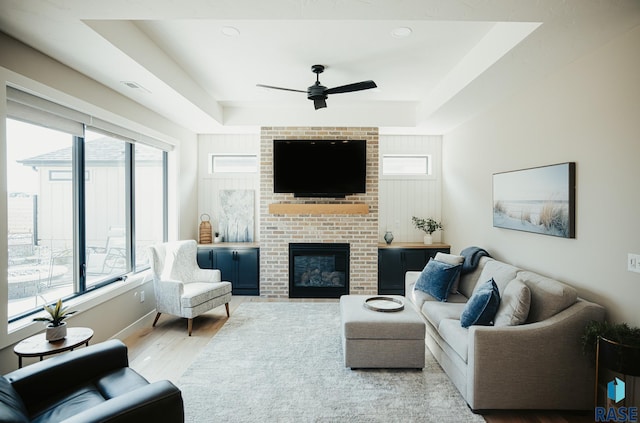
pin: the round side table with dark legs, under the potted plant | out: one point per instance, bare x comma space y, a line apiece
38, 346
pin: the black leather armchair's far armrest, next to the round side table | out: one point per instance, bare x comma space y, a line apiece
34, 382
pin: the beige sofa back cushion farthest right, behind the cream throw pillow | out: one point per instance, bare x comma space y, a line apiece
548, 296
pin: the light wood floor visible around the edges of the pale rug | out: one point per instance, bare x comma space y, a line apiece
165, 352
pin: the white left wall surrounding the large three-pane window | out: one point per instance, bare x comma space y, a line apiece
119, 310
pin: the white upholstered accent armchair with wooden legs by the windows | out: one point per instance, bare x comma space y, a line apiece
181, 287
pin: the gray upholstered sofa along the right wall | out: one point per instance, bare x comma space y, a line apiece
537, 364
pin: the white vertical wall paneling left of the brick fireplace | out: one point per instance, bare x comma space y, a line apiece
209, 185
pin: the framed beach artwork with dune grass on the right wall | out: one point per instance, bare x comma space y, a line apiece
540, 200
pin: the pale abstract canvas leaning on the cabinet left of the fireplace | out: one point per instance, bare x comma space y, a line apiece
236, 215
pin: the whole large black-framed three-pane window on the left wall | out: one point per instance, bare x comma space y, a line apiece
68, 234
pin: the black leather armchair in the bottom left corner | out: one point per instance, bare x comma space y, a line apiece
92, 384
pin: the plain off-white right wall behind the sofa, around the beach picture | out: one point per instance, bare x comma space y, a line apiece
588, 112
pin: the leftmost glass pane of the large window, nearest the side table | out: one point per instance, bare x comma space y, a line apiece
40, 216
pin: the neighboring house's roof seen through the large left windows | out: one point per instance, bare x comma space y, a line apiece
98, 152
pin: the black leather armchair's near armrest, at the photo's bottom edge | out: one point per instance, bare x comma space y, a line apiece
160, 401
